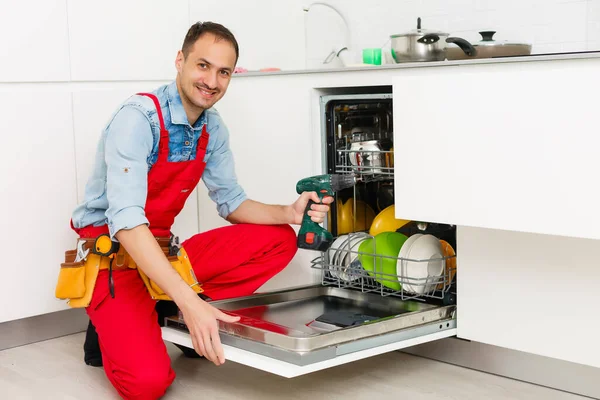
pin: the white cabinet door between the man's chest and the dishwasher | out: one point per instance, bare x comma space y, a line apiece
273, 147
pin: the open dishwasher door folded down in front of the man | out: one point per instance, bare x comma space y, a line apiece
298, 331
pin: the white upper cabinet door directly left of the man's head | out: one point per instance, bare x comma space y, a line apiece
126, 40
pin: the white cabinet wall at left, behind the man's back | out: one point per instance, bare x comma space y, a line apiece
65, 66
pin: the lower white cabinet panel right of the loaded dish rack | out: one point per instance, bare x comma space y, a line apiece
532, 293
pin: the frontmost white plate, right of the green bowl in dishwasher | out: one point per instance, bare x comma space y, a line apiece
423, 276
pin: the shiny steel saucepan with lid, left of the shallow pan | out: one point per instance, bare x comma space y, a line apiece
425, 45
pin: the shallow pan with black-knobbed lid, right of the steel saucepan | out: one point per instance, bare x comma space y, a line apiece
488, 48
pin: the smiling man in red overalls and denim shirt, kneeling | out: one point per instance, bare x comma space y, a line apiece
151, 155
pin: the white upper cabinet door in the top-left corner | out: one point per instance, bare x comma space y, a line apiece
35, 41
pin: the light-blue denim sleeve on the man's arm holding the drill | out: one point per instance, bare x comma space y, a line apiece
219, 174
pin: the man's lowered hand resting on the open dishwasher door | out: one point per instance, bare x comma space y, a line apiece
201, 320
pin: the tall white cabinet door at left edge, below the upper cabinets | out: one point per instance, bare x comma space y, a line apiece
37, 164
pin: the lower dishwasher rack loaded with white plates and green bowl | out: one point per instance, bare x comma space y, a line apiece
419, 267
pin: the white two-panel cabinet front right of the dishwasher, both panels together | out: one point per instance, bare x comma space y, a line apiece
508, 152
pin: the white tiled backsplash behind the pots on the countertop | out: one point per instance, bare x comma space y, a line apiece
549, 25
